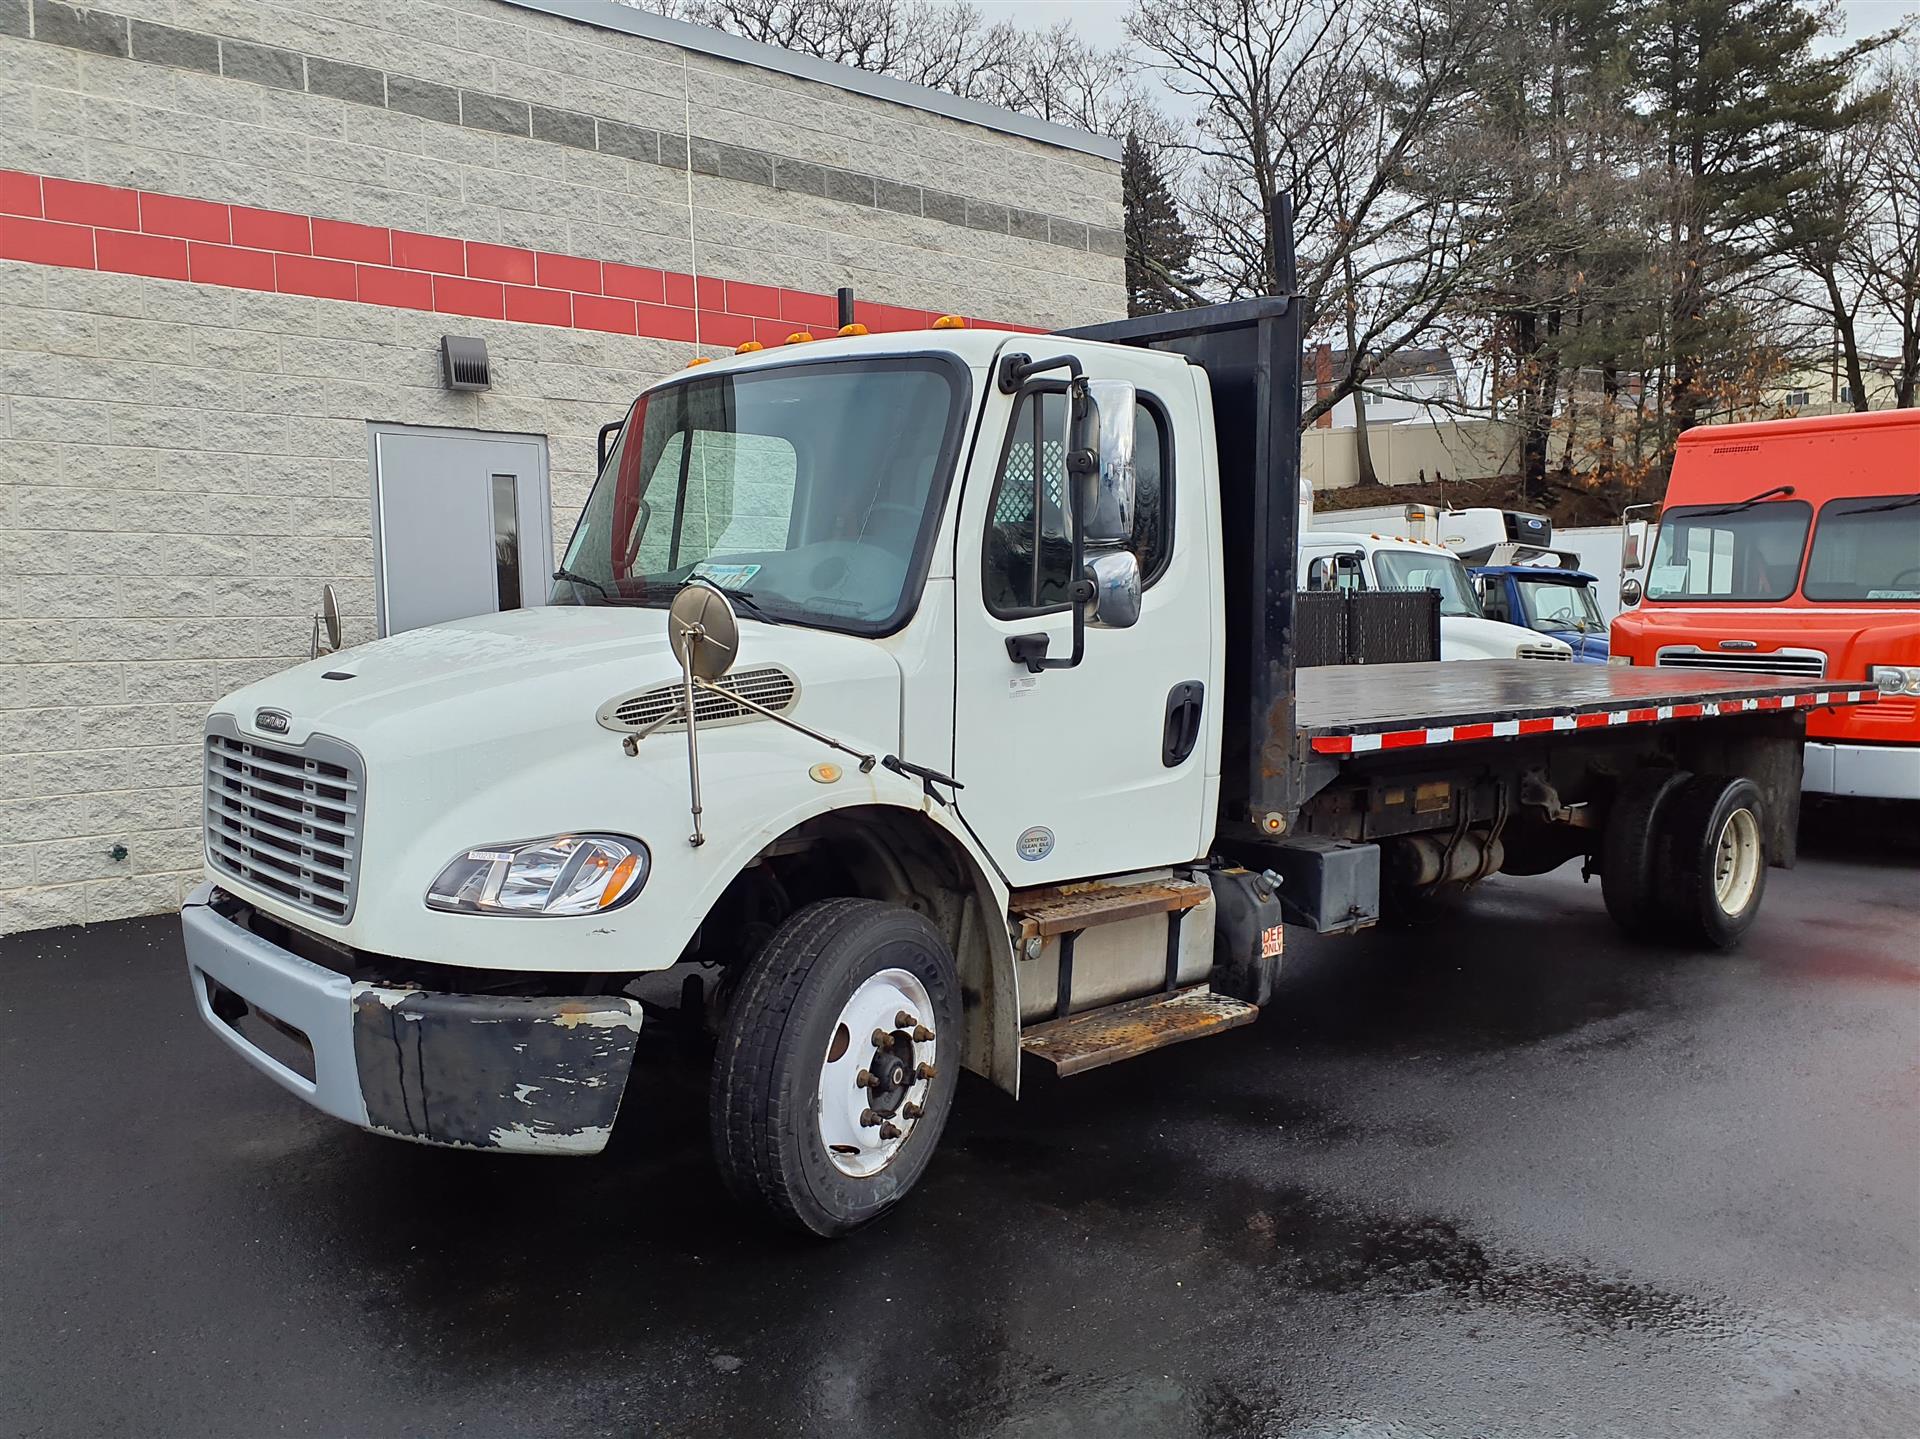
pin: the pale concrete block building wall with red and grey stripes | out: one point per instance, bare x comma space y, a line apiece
185, 389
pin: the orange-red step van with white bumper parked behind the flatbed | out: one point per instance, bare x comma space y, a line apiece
1794, 549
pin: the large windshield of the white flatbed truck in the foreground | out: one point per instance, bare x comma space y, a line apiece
811, 489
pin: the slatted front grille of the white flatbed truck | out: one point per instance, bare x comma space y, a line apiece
287, 819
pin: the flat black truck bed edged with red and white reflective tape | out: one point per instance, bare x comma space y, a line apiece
1353, 710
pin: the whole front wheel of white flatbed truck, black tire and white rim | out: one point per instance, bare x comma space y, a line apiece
790, 1123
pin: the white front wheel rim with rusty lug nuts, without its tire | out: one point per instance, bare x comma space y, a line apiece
876, 1073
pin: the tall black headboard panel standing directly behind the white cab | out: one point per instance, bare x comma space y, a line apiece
1251, 353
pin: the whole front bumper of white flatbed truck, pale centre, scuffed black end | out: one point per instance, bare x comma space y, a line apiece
521, 1075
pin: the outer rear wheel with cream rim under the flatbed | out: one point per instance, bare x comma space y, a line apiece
1714, 860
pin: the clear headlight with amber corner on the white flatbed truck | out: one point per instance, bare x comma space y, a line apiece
560, 875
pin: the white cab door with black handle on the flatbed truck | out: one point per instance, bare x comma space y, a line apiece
1111, 766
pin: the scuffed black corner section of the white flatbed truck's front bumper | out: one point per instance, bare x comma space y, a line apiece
494, 1071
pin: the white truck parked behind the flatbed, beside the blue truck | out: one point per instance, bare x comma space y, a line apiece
1333, 560
